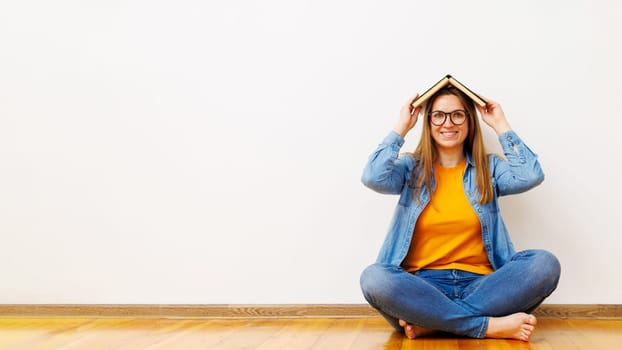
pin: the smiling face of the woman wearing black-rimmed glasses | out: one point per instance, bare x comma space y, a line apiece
449, 136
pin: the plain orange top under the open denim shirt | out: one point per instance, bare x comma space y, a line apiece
448, 233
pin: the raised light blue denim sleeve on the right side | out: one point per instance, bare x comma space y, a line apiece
520, 171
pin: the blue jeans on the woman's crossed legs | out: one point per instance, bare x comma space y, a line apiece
457, 301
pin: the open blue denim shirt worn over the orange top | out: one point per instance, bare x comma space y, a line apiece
387, 172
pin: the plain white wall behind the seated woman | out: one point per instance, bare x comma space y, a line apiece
210, 152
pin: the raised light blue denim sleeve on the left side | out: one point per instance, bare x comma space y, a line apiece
386, 172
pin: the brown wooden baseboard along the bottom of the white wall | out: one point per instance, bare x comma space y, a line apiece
593, 311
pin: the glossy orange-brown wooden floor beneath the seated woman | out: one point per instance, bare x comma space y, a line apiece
287, 334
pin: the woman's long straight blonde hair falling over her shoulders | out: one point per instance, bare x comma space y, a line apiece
426, 152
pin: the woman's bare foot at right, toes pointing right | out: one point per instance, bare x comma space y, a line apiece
515, 326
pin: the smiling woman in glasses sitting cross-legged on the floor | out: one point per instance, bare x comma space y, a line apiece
447, 263
